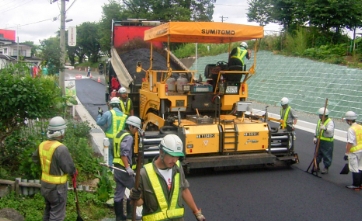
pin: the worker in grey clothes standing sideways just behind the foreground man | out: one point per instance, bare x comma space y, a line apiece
123, 149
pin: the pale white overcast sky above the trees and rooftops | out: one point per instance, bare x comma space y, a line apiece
33, 19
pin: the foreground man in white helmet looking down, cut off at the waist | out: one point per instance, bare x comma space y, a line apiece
166, 175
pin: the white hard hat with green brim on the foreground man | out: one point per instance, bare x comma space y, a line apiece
172, 145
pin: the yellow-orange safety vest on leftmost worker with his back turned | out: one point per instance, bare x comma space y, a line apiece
46, 150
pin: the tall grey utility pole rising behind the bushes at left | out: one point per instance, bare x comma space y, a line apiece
62, 46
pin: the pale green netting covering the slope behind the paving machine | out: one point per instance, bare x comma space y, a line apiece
306, 83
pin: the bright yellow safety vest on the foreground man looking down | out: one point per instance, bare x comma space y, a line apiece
167, 210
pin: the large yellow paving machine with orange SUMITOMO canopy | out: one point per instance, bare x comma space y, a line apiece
213, 116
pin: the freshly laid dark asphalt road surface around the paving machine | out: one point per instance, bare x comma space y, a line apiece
263, 193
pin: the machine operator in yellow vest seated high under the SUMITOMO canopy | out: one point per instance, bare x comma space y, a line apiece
237, 55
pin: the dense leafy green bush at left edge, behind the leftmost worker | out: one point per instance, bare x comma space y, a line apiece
24, 97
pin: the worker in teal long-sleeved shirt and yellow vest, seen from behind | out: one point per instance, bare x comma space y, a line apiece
113, 120
